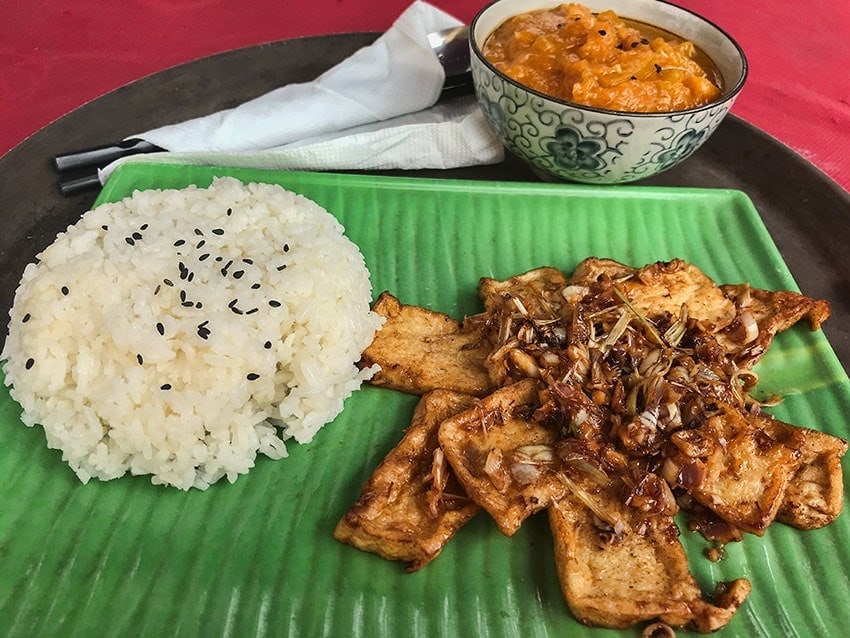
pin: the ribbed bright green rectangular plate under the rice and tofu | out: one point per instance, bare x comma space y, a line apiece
257, 558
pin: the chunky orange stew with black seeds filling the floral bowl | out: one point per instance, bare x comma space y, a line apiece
601, 60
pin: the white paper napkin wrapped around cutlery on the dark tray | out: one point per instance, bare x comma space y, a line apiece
374, 110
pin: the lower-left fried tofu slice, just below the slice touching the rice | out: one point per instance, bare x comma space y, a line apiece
411, 505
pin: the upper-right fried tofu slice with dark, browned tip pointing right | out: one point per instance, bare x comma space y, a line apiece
761, 314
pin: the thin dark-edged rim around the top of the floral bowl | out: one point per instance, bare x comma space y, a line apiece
725, 97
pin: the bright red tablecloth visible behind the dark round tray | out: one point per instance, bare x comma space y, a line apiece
56, 55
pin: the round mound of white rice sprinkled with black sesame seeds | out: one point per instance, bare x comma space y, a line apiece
178, 333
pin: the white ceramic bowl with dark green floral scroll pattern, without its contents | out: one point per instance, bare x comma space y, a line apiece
584, 144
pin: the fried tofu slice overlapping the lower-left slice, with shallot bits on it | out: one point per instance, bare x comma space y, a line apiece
501, 458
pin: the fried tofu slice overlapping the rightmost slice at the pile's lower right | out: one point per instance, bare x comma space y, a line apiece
731, 465
